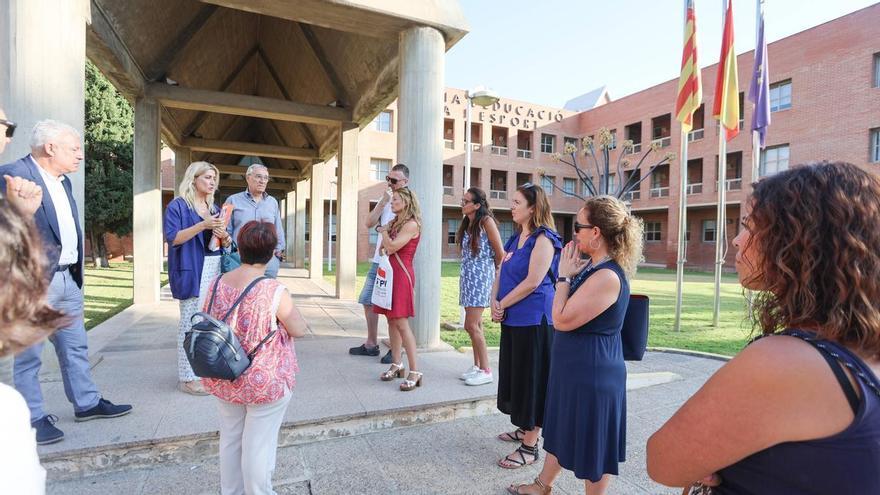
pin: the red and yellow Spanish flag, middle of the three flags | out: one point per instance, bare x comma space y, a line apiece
726, 108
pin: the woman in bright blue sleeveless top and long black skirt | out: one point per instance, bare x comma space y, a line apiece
521, 300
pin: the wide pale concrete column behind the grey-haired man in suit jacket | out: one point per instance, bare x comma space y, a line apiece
42, 71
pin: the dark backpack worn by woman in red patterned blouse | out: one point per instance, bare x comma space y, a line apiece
211, 346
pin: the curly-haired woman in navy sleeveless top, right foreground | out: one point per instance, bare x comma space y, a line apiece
798, 411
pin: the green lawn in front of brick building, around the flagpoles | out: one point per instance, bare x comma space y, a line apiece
696, 333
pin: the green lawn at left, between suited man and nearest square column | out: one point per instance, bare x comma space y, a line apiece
108, 291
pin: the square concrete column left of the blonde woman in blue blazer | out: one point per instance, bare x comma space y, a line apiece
147, 201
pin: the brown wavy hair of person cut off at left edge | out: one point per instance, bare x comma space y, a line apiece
25, 316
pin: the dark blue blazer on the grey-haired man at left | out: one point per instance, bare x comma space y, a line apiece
46, 218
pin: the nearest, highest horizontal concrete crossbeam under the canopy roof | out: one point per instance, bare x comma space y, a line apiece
246, 105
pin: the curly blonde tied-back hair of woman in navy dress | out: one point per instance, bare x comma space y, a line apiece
623, 232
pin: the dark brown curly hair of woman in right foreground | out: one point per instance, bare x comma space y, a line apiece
817, 253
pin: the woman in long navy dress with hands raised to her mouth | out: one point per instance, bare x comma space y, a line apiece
585, 412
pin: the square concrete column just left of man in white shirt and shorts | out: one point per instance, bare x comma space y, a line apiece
347, 211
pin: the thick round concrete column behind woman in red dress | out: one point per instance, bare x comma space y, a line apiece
420, 147
